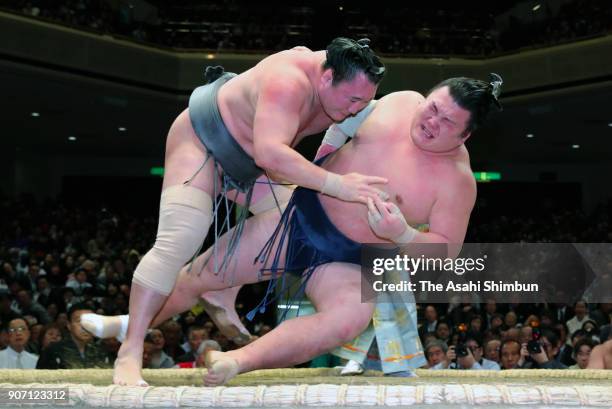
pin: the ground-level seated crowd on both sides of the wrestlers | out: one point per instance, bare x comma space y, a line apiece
59, 262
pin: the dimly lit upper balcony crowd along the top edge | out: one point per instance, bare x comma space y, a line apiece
234, 25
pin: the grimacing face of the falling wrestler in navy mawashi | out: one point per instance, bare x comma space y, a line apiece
439, 123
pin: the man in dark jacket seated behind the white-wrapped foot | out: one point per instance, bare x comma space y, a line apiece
76, 351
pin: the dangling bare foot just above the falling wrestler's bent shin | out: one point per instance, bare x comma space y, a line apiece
219, 305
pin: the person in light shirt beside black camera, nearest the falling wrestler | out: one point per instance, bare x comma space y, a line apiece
473, 359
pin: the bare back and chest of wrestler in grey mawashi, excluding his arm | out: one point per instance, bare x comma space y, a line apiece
238, 98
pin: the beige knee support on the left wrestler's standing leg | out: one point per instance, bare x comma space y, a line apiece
185, 215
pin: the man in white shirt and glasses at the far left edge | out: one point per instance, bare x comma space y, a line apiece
15, 356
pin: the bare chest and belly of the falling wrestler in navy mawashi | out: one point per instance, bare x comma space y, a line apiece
383, 146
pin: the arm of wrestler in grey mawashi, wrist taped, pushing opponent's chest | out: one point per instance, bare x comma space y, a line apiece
276, 125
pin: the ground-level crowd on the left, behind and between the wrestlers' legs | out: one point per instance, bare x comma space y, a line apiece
59, 262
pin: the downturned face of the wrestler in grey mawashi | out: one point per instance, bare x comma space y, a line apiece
345, 98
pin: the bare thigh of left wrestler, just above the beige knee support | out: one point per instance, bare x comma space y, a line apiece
185, 155
